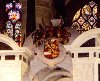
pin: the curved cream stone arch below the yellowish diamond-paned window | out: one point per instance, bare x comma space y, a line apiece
85, 37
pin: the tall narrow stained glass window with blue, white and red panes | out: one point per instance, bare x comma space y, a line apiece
13, 24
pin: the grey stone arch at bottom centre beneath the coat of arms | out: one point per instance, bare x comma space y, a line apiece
47, 73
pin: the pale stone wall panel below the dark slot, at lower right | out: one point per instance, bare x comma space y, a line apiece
83, 70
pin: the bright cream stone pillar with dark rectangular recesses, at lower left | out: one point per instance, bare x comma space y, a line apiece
12, 66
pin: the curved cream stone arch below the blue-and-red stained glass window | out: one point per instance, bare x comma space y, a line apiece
8, 41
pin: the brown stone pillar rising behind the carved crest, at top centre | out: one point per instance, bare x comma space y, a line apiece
42, 12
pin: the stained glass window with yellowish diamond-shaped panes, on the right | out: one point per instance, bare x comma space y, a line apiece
85, 18
